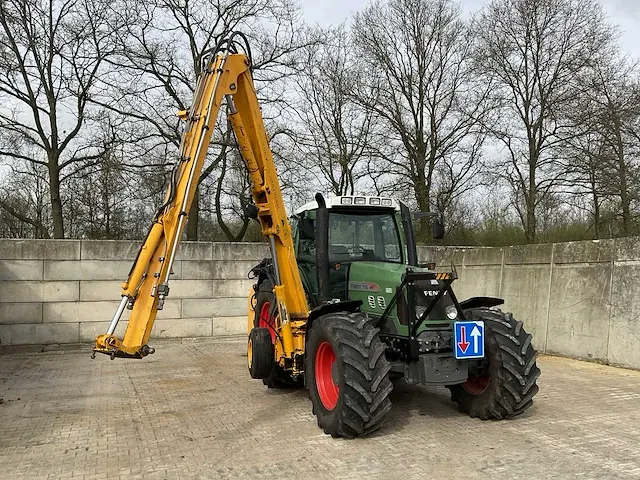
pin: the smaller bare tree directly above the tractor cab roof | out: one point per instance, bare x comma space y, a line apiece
337, 136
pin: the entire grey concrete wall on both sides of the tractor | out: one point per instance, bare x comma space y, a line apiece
580, 299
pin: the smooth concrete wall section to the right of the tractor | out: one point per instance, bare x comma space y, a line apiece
579, 299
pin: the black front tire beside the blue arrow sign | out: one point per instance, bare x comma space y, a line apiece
509, 366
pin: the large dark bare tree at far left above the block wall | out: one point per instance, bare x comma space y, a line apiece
51, 54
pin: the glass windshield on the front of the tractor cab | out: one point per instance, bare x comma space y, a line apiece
368, 237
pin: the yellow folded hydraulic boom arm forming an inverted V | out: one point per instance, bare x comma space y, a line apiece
226, 77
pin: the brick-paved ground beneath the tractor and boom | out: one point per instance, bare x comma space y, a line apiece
191, 411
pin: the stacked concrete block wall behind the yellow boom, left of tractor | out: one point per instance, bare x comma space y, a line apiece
66, 291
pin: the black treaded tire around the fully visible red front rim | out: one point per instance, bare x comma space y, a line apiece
360, 371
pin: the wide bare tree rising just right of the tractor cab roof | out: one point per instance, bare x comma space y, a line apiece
419, 54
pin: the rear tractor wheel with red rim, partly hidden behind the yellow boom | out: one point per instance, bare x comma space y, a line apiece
265, 317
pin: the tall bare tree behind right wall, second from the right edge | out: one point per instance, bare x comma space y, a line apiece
534, 51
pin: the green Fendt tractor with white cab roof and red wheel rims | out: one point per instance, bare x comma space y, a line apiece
378, 315
